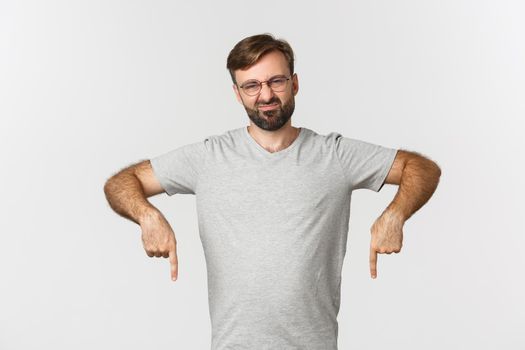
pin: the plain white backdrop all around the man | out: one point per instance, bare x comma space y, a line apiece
89, 87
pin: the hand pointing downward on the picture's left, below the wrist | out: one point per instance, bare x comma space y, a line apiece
159, 239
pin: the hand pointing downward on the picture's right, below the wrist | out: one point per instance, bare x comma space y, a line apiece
387, 237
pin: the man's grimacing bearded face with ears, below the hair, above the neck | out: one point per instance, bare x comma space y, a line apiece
269, 110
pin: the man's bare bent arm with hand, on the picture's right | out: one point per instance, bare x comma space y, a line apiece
417, 178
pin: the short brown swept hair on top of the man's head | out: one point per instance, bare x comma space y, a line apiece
249, 50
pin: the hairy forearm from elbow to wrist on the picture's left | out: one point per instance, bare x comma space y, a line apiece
126, 197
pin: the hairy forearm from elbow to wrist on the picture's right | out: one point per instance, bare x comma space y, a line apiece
419, 180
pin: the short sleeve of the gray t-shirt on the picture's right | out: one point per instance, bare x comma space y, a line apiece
365, 165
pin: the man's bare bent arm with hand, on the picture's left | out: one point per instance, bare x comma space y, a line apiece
127, 193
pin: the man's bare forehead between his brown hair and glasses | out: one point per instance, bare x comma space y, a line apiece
271, 64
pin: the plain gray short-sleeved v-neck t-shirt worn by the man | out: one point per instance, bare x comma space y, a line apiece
274, 227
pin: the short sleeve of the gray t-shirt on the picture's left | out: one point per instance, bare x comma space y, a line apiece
178, 170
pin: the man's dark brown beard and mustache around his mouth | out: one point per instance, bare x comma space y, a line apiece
273, 119
